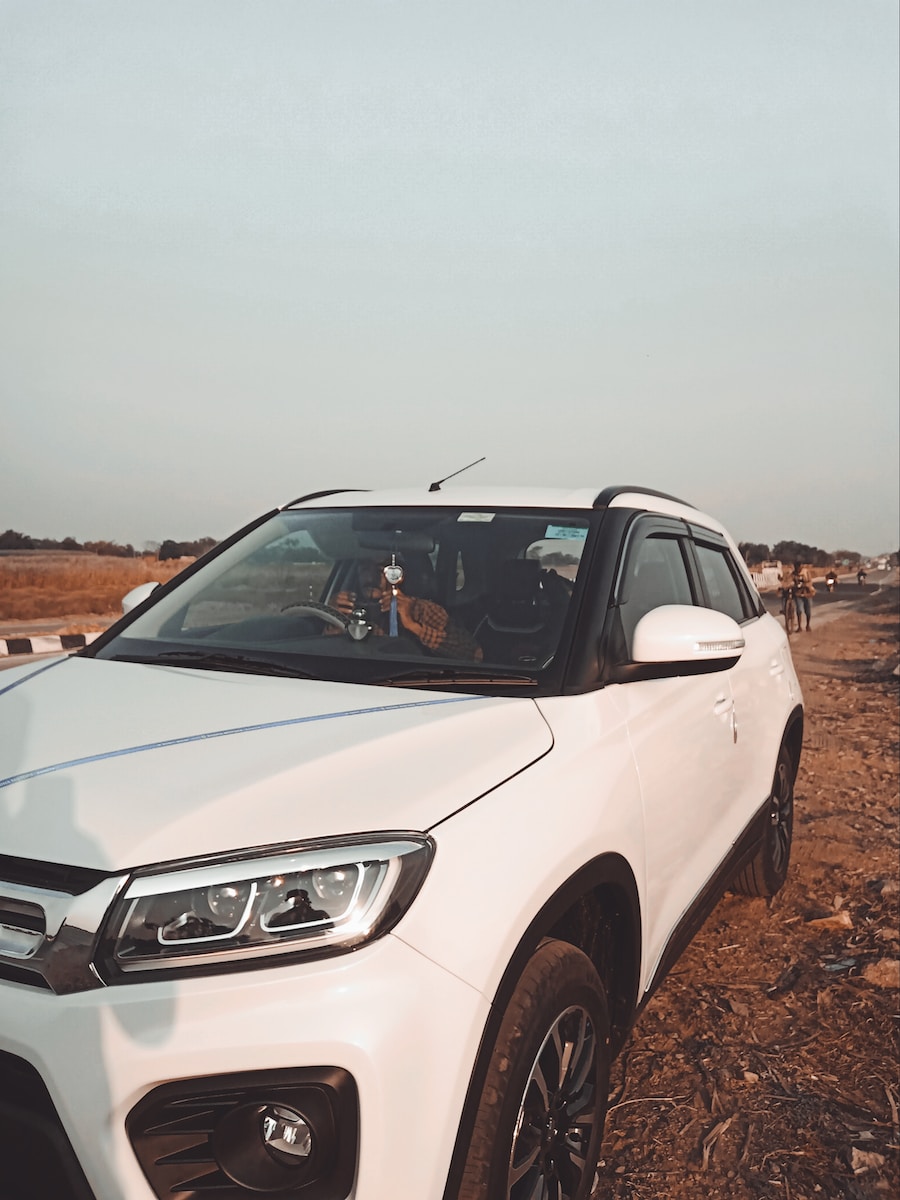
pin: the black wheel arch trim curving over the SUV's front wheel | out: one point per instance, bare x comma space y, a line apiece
597, 910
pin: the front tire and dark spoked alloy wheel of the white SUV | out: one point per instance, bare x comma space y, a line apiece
541, 1119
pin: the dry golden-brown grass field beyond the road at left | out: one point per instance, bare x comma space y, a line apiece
51, 584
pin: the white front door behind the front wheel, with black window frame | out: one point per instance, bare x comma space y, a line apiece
682, 739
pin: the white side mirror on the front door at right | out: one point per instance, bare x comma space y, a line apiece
681, 640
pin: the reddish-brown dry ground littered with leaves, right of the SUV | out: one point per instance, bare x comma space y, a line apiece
767, 1064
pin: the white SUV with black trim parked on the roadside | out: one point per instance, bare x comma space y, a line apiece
343, 865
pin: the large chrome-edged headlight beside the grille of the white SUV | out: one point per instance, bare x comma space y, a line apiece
315, 901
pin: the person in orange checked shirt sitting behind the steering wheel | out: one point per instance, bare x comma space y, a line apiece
425, 621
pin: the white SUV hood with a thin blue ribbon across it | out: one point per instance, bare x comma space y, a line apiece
117, 765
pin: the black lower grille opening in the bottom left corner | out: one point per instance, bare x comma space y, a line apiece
38, 1159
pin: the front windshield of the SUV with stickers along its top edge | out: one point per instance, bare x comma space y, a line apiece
375, 596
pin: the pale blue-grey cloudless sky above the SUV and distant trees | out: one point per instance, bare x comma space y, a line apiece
250, 250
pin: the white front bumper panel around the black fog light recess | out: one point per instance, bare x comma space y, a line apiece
404, 1029
